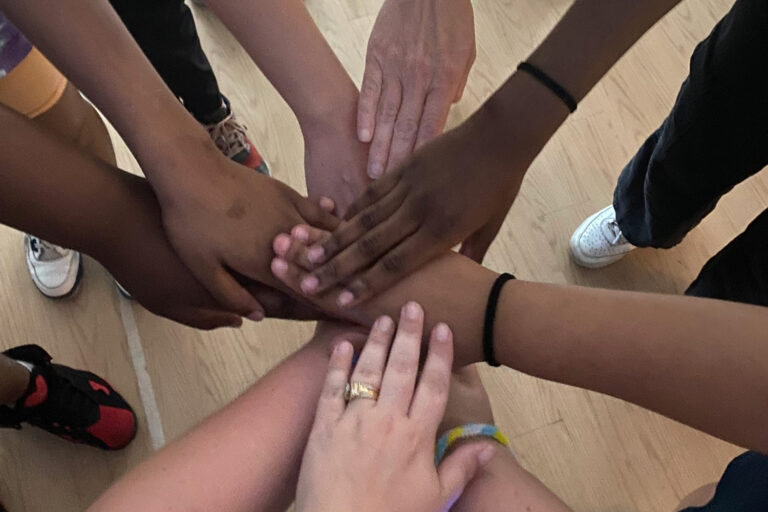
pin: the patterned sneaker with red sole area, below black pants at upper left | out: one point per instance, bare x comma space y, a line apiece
229, 136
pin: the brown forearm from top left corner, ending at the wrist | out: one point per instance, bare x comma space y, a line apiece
89, 43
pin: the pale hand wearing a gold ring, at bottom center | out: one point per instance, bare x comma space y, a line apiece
379, 455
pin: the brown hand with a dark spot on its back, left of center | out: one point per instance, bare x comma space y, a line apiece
221, 220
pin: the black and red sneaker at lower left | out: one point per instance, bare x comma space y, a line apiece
73, 404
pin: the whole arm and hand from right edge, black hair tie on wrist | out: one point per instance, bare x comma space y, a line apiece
702, 362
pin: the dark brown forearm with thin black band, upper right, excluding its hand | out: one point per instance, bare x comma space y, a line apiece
577, 53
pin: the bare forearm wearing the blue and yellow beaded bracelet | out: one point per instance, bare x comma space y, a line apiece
502, 484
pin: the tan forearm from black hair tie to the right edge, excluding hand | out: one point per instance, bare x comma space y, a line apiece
700, 361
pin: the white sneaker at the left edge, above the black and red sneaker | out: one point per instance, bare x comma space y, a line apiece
55, 270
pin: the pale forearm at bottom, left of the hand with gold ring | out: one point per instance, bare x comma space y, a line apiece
245, 457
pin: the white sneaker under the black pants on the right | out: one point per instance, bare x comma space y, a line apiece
598, 241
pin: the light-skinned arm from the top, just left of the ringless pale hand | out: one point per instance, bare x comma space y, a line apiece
286, 45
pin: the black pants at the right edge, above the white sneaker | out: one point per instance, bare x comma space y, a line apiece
715, 137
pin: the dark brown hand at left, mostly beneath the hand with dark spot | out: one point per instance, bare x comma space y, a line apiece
143, 261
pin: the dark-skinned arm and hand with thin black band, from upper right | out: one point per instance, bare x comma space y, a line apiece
431, 200
